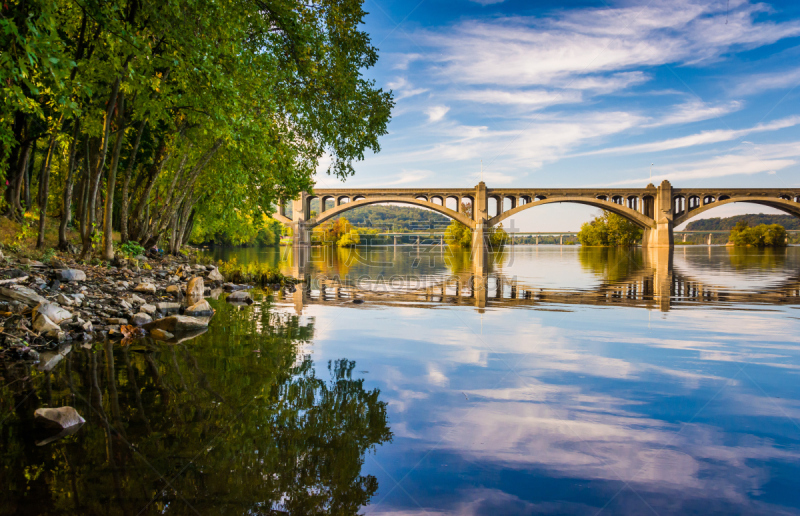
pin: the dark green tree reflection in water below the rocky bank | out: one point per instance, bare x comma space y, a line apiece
236, 421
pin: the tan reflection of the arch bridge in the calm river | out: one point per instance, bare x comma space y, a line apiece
642, 278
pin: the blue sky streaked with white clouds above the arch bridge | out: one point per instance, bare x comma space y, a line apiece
586, 93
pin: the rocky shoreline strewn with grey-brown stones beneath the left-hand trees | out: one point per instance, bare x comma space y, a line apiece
47, 308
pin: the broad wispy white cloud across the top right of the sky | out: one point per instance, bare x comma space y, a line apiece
574, 45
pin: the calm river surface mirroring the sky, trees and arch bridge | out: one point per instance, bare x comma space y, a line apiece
545, 380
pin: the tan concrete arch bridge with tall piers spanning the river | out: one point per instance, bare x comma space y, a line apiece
657, 210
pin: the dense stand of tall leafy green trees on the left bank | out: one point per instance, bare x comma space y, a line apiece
158, 117
